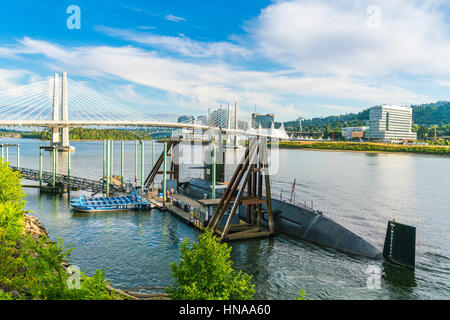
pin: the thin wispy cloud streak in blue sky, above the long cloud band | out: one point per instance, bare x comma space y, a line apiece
181, 44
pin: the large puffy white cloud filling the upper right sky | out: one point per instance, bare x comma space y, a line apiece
332, 37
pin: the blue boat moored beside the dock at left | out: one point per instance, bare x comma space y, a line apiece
100, 204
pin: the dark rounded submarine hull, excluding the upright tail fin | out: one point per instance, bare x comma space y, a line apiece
300, 222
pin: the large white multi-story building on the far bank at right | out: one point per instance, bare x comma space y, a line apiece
390, 123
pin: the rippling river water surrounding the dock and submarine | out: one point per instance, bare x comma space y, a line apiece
361, 191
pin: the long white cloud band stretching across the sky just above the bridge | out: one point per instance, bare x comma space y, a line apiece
197, 85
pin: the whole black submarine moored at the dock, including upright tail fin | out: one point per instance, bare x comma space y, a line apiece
312, 225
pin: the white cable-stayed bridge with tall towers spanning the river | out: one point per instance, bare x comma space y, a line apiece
62, 103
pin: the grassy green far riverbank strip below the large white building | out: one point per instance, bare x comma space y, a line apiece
364, 147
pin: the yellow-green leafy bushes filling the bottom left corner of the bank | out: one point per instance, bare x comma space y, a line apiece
35, 269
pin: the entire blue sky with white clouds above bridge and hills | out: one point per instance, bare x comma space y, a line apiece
296, 57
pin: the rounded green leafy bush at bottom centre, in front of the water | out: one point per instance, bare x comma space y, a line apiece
205, 272
